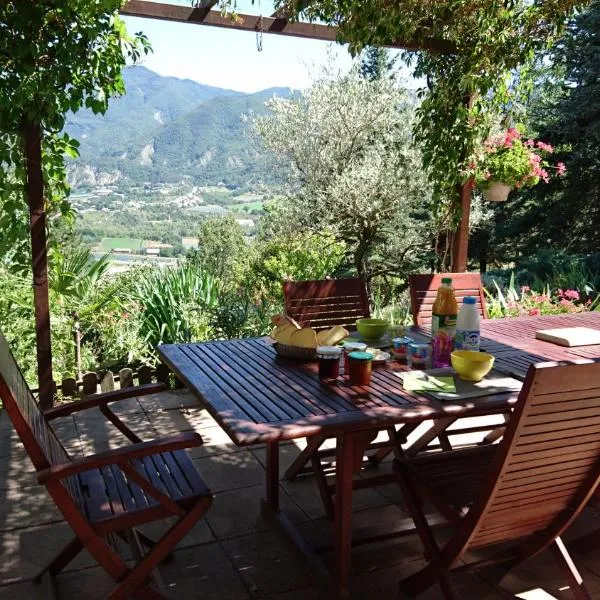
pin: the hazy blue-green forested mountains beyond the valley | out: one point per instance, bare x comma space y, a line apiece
168, 130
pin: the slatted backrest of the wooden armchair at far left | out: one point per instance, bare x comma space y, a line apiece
40, 441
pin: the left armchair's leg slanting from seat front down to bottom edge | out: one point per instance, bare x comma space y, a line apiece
131, 583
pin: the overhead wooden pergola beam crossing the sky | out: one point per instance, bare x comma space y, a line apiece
202, 15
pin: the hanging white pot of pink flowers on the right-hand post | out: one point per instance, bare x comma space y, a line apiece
508, 161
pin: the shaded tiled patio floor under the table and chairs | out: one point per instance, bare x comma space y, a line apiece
233, 554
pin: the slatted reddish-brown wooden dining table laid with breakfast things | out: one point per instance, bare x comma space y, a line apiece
258, 397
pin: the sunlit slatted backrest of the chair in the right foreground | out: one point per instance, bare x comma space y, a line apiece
548, 463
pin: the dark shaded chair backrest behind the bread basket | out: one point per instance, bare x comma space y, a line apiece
327, 302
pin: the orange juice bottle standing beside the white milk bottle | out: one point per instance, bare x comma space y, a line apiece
443, 324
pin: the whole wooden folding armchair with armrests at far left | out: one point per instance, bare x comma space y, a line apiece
108, 495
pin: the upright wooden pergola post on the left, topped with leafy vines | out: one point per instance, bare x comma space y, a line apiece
37, 222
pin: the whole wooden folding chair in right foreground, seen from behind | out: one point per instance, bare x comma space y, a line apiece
523, 493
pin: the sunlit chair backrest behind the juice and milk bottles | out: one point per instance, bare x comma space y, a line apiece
423, 290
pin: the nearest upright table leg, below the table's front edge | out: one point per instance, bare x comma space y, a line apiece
343, 513
